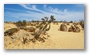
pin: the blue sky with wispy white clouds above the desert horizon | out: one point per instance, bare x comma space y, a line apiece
68, 12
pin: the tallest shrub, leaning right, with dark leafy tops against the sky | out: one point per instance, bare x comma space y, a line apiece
43, 26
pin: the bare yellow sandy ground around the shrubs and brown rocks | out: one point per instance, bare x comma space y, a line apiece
57, 40
